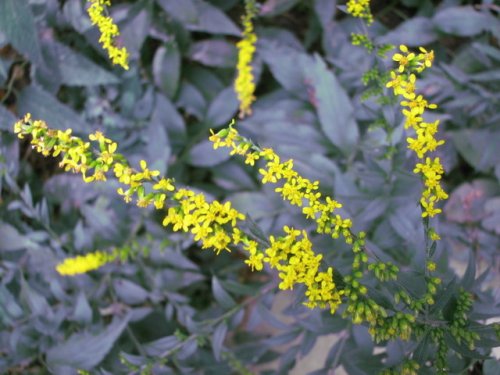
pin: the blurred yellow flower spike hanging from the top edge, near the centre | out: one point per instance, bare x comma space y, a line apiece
244, 84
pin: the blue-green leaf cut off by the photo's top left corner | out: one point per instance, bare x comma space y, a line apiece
18, 25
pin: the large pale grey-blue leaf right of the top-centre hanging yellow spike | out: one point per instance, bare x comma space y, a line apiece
335, 111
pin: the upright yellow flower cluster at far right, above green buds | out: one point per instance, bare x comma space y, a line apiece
403, 82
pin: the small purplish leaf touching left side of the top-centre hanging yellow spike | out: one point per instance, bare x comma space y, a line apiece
214, 52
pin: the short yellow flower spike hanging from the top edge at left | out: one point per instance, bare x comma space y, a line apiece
109, 31
